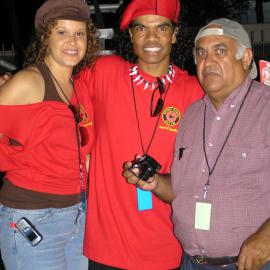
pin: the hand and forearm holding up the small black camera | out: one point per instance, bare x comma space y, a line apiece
159, 184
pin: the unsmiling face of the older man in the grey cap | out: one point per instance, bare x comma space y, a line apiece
218, 70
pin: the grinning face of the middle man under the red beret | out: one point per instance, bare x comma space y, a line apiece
152, 37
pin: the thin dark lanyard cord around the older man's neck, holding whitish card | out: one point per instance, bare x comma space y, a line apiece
210, 171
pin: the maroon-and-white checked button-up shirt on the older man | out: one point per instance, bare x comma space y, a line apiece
240, 183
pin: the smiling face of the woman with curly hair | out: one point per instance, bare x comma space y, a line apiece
67, 43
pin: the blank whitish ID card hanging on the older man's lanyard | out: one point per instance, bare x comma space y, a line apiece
202, 216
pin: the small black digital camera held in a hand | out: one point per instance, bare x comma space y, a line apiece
147, 166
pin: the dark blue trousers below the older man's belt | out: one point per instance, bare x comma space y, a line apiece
188, 263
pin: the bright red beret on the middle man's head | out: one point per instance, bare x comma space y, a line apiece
166, 8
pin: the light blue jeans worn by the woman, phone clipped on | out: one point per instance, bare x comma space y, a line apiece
62, 245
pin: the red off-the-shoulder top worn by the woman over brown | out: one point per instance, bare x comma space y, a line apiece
47, 158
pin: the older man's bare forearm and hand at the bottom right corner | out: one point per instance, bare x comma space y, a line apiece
255, 251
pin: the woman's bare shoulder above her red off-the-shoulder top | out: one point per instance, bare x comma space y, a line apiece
25, 87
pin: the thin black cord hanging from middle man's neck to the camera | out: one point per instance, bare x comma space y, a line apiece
137, 117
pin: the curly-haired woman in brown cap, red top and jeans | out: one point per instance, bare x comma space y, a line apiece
46, 132
